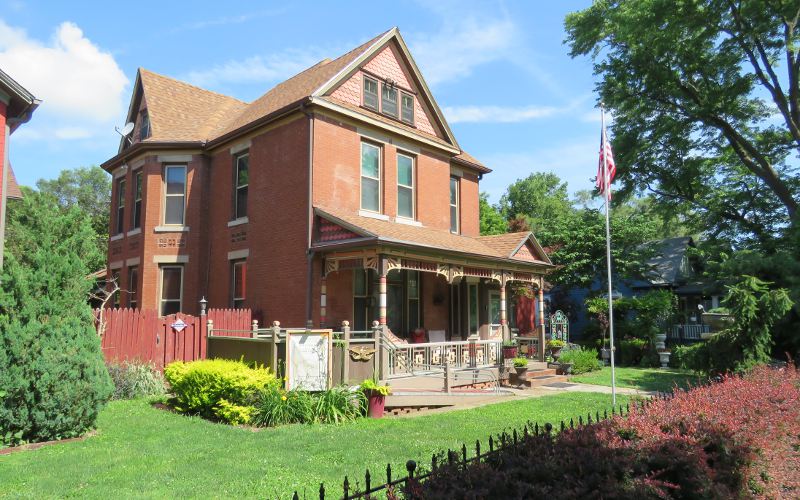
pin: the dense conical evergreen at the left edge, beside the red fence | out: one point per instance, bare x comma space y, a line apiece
52, 375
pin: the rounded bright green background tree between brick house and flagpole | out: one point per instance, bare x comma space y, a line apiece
541, 198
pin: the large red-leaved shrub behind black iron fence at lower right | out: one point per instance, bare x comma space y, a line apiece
736, 438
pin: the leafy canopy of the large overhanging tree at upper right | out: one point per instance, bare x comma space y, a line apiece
706, 102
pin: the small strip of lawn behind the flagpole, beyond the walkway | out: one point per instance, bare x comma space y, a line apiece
645, 379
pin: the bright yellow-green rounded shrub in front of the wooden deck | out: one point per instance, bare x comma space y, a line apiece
200, 385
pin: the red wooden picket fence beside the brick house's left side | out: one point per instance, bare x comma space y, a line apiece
133, 334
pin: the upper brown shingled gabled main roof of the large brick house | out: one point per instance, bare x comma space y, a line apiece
183, 113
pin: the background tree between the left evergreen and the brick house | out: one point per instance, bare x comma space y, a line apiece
88, 188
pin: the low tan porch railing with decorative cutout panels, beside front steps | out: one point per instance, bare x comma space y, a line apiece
406, 359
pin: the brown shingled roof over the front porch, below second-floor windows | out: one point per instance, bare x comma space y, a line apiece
393, 232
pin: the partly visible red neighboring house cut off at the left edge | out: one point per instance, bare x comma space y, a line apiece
16, 107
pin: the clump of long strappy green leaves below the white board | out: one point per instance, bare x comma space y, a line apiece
275, 406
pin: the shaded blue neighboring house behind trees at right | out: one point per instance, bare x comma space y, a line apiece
672, 268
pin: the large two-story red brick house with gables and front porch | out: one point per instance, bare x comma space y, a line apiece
340, 194
